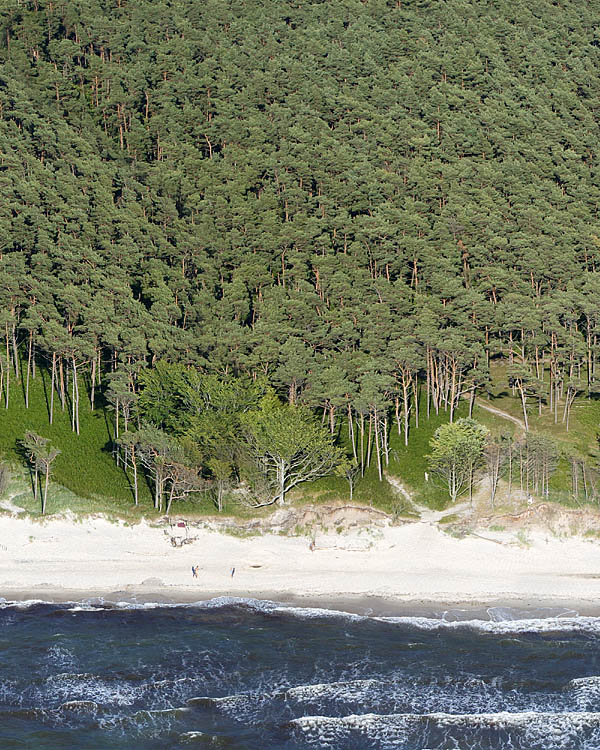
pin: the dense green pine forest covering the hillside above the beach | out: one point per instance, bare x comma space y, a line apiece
326, 223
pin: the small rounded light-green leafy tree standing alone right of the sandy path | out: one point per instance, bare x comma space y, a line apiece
456, 452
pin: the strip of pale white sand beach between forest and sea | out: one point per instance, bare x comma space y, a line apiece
411, 563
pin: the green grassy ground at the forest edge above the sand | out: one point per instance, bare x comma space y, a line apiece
86, 479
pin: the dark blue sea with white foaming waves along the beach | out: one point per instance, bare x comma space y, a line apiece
236, 674
